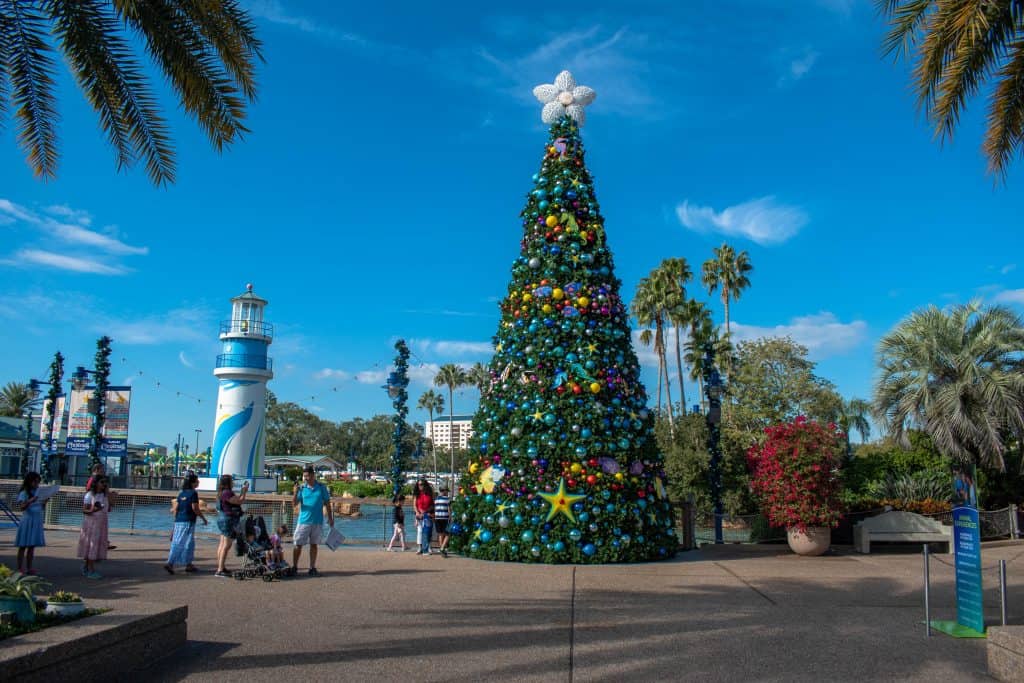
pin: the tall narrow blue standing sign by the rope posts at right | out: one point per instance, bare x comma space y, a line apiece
967, 550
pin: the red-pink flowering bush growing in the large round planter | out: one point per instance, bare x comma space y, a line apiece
795, 475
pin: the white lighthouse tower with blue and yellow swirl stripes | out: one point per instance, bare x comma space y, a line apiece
243, 370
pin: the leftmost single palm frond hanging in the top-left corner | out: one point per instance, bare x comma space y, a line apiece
30, 69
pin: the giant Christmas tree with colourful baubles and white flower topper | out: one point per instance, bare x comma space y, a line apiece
565, 466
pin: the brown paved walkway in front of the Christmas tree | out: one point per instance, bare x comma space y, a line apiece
723, 614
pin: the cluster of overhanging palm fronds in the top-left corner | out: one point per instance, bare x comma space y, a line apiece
207, 52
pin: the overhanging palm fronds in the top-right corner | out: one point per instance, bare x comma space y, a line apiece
957, 48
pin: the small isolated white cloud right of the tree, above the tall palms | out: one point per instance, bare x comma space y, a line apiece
763, 221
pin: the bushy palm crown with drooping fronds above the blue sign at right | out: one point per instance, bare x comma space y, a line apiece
959, 377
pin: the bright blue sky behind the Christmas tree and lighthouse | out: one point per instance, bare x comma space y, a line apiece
392, 148
